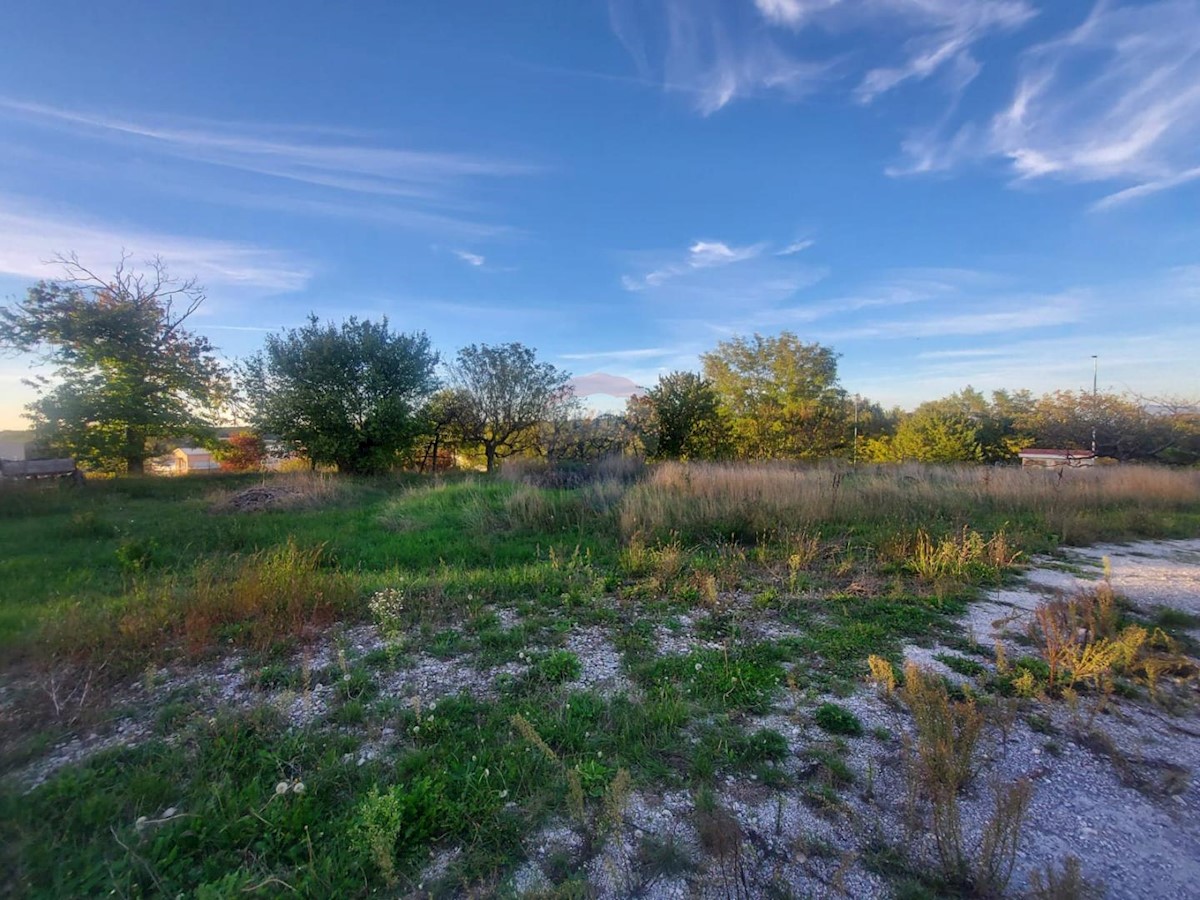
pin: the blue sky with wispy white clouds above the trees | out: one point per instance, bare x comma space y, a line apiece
949, 193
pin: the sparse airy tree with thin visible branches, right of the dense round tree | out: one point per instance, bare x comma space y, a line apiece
505, 394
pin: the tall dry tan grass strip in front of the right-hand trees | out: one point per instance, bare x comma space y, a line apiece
748, 501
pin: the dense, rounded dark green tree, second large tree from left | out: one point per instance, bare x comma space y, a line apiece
351, 395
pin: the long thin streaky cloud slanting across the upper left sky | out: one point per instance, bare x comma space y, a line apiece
313, 171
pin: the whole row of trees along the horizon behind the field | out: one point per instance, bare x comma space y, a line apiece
130, 376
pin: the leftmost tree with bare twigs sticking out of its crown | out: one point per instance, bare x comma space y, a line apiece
129, 375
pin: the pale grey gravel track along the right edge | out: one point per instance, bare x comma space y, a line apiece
1118, 790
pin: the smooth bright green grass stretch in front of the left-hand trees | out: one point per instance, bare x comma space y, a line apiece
67, 548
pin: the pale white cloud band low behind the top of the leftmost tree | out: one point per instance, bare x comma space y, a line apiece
31, 237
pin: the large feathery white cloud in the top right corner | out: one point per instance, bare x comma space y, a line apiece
1117, 98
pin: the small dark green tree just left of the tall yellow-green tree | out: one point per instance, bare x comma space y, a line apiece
681, 418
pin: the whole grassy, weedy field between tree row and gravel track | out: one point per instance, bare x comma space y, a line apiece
394, 686
